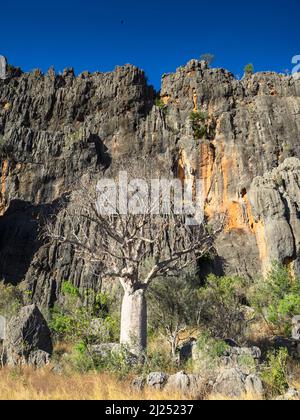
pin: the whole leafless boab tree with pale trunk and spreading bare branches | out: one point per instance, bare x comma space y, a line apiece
123, 242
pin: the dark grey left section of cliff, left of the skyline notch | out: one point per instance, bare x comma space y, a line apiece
52, 134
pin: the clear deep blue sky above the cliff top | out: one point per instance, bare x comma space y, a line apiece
157, 36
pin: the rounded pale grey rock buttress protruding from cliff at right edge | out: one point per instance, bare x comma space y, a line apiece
275, 200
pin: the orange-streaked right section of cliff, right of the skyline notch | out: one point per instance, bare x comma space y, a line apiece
254, 127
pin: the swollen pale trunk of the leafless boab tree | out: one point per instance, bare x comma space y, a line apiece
134, 320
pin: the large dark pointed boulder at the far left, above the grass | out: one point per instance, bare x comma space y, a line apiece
28, 339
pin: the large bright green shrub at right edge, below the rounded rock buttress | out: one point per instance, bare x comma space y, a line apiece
277, 298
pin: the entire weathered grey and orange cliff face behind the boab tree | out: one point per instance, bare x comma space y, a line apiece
56, 130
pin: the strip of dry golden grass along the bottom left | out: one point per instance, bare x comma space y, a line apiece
28, 384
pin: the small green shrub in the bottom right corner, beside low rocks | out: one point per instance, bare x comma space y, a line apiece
275, 372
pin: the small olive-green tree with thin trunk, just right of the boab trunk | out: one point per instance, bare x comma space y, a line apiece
174, 307
